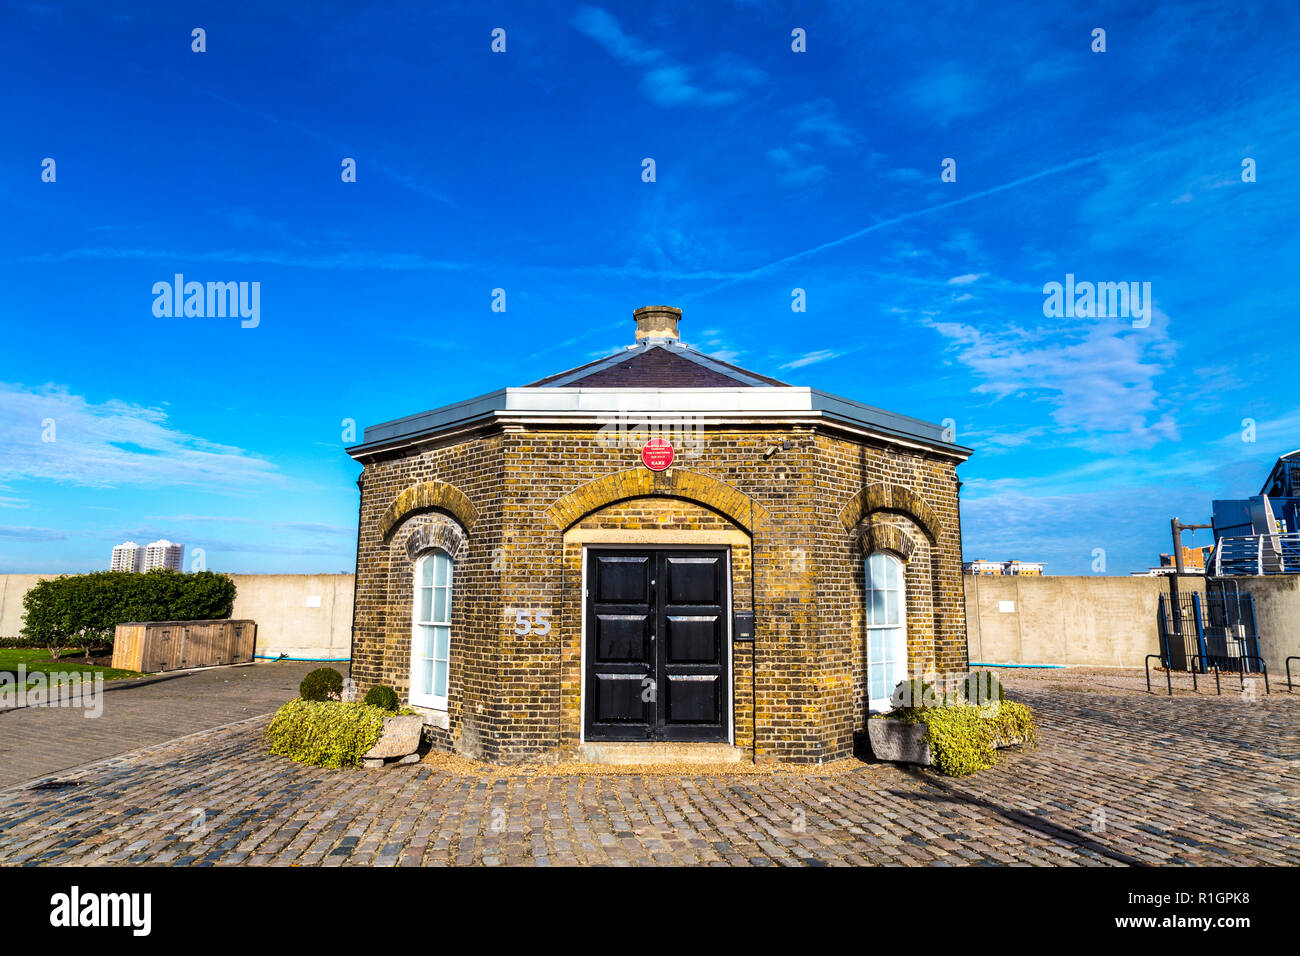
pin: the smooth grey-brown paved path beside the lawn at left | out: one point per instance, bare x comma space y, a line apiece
36, 742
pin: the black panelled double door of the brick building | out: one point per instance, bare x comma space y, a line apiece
657, 655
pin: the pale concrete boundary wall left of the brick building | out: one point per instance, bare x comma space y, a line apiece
298, 616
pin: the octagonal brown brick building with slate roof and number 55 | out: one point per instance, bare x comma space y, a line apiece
539, 579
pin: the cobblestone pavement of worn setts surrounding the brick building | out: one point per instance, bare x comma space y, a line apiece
1117, 781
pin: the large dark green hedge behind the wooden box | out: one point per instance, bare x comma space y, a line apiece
80, 609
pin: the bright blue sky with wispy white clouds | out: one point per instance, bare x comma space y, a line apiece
522, 171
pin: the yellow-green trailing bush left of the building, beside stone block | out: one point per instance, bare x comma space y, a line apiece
327, 734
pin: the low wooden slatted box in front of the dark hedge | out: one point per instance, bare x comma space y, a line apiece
168, 646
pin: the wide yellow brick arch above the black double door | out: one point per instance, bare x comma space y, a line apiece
643, 483
